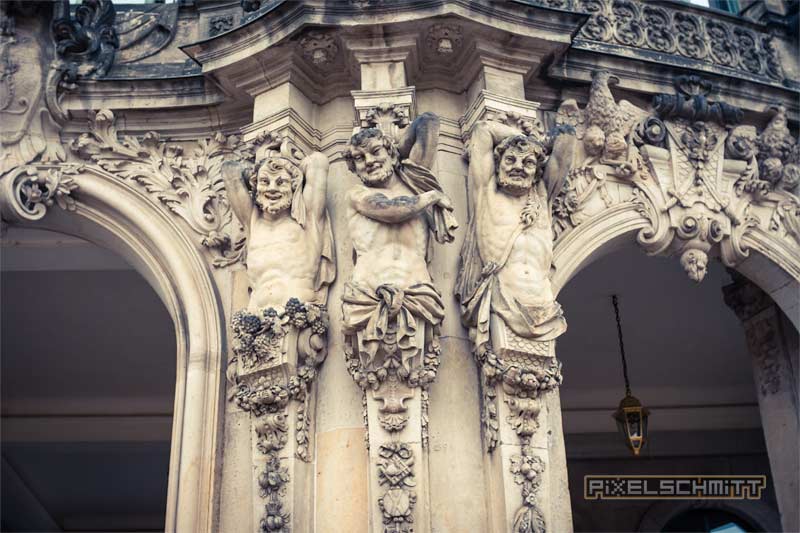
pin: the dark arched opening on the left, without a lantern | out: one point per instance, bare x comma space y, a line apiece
88, 388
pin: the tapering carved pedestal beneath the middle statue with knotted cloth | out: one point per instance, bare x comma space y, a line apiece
395, 381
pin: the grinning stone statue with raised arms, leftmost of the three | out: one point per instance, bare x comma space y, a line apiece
289, 239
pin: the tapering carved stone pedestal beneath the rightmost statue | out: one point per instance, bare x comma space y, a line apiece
521, 418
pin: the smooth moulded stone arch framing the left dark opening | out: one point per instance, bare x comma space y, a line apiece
118, 216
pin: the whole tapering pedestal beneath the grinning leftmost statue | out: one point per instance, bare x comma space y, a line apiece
276, 356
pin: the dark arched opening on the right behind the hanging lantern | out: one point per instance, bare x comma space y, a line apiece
688, 362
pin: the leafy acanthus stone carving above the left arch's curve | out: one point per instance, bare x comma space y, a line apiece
188, 183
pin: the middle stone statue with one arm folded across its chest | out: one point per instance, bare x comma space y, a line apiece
391, 308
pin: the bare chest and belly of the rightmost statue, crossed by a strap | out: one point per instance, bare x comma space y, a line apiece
525, 273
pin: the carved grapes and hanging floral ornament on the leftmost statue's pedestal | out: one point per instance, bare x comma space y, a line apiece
276, 356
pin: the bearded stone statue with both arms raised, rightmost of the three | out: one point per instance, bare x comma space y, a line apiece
507, 256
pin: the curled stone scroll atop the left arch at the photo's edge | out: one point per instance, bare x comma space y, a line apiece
27, 192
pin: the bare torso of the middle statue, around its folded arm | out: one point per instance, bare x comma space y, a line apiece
389, 253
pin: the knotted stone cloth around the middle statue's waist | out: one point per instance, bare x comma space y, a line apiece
367, 315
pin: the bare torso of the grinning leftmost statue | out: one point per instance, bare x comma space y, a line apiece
282, 260
